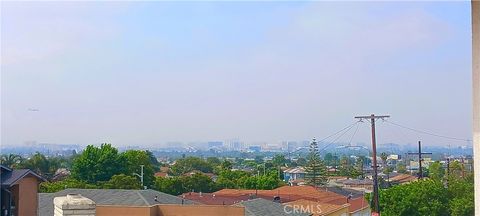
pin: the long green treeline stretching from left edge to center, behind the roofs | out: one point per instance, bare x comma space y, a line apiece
106, 167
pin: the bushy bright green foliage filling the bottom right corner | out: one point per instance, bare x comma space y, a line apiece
429, 197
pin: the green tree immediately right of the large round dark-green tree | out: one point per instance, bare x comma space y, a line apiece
136, 158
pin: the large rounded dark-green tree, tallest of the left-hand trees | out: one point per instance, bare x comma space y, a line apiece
98, 164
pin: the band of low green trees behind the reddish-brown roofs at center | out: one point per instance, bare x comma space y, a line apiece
177, 183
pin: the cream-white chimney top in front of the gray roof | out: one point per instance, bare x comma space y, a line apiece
73, 205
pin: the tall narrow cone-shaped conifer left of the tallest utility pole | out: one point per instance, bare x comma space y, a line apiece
316, 171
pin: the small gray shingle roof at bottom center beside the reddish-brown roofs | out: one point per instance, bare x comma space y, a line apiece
263, 207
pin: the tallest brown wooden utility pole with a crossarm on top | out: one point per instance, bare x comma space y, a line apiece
372, 118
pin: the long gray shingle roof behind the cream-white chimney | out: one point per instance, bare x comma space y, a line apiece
110, 197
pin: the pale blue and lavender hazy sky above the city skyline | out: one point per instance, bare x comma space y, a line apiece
149, 72
